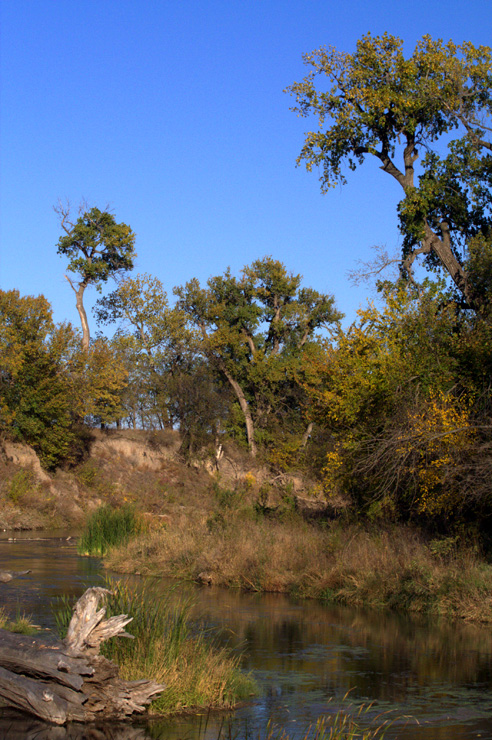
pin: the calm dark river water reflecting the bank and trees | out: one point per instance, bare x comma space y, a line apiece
305, 657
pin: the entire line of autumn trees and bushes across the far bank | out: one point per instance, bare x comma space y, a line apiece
391, 414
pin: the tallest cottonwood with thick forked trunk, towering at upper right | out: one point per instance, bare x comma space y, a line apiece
378, 103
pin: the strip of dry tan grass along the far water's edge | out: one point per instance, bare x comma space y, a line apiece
340, 564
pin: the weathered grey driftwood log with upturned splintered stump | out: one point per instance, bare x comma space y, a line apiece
69, 681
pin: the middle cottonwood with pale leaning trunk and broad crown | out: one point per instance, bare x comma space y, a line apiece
252, 328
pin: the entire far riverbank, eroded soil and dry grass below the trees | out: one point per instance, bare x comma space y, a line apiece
236, 524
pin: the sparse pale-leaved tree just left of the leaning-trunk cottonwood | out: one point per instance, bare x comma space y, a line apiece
168, 383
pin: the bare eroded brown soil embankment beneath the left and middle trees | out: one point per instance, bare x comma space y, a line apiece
131, 466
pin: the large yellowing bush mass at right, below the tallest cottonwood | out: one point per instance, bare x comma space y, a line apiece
404, 398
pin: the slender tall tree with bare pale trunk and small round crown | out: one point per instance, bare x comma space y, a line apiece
98, 248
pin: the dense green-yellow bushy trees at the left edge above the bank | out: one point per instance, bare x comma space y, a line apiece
48, 383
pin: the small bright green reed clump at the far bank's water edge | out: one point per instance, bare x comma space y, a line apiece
108, 527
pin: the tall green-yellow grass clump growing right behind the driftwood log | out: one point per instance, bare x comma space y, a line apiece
171, 650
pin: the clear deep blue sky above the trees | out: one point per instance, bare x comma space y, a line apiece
173, 113
